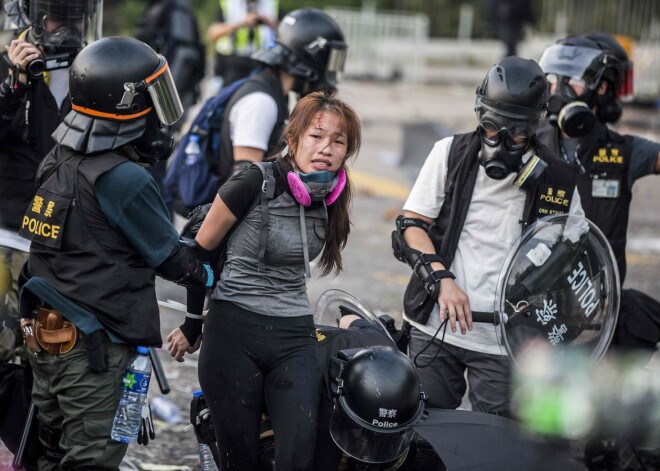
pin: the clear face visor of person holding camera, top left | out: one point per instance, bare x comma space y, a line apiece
65, 27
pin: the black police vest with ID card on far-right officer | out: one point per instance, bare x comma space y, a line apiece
603, 185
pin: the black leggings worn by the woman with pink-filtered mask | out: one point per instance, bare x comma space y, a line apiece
247, 358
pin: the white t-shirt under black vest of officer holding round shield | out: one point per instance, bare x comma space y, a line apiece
491, 227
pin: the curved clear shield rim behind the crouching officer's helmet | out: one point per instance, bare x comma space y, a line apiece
334, 303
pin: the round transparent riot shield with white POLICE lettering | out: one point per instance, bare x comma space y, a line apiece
559, 285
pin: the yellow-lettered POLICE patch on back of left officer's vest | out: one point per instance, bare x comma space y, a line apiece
44, 220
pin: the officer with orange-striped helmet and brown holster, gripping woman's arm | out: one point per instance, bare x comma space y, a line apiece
100, 233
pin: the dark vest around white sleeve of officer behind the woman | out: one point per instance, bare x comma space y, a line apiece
265, 81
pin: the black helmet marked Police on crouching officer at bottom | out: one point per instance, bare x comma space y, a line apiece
379, 400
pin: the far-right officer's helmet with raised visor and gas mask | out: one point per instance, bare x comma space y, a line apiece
582, 63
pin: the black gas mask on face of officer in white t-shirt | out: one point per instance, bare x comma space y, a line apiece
504, 143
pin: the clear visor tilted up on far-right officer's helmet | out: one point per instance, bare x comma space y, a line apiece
580, 63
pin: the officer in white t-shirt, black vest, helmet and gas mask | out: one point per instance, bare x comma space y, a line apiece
475, 194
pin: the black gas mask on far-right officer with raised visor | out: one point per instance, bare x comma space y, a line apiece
568, 111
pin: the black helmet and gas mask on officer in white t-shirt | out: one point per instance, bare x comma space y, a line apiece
510, 103
